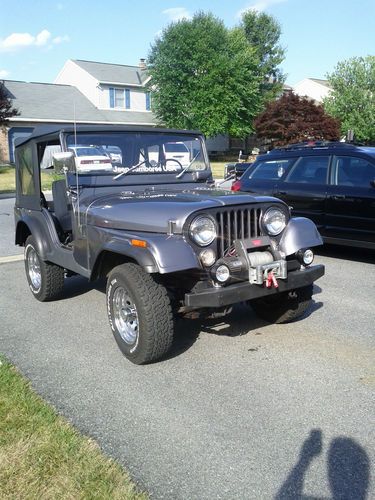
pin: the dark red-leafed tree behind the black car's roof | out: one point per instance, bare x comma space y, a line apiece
292, 118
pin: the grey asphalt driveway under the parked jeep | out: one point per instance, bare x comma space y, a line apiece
240, 409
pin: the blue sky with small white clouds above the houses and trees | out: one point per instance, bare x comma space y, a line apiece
37, 37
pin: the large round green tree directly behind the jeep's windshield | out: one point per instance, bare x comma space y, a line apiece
206, 77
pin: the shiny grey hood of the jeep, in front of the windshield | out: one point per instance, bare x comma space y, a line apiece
150, 210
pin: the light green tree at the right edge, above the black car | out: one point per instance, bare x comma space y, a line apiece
352, 99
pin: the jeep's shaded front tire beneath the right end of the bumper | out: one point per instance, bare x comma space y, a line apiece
285, 307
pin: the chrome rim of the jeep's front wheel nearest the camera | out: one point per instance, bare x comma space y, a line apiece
125, 316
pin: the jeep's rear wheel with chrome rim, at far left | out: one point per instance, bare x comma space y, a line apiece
46, 280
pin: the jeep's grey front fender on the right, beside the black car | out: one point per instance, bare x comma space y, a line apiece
300, 233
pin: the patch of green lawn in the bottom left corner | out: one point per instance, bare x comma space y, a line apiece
42, 456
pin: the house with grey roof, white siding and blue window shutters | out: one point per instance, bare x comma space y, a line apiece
87, 92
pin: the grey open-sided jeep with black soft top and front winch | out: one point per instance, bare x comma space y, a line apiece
137, 206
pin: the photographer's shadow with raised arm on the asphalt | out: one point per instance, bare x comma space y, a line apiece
348, 469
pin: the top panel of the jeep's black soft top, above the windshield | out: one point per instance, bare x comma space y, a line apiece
53, 131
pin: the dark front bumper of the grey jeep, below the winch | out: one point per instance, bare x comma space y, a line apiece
231, 294
